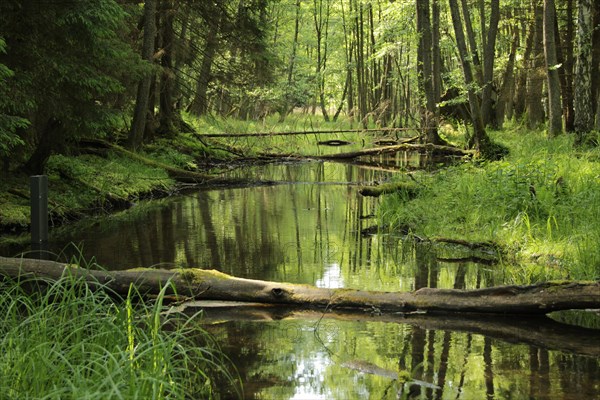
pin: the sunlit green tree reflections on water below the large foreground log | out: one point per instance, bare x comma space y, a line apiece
372, 360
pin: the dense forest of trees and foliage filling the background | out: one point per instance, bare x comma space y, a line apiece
128, 71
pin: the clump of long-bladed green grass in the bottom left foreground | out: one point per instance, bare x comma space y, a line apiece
61, 340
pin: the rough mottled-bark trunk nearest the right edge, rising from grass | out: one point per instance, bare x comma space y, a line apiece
584, 115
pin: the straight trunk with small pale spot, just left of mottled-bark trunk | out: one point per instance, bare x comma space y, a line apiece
554, 103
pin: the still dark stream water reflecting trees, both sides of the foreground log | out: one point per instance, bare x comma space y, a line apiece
311, 232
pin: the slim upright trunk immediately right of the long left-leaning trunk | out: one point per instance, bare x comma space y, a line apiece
489, 56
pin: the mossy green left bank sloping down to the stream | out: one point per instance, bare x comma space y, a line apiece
99, 180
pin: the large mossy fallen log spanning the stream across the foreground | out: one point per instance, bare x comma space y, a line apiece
213, 285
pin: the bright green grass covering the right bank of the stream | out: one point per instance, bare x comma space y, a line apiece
541, 204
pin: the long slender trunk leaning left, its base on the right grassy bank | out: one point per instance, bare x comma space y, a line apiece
479, 140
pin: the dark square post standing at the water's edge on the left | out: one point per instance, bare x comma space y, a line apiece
39, 210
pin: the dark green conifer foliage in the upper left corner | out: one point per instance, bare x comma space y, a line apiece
69, 61
